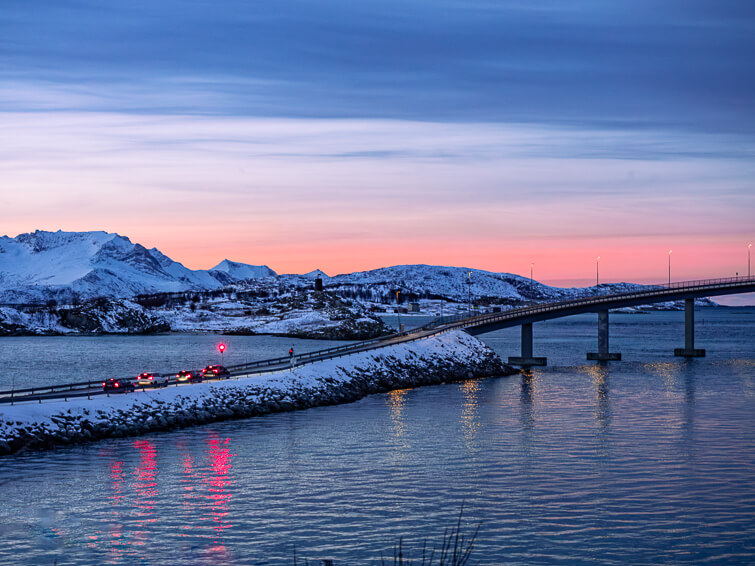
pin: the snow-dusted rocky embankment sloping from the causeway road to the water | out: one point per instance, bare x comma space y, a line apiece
445, 358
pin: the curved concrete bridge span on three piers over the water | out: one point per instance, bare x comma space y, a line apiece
687, 291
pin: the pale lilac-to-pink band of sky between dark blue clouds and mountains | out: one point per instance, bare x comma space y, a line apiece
348, 195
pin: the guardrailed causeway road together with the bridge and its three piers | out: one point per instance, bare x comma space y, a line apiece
475, 325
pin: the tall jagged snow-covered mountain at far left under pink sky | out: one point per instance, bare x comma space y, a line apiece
40, 266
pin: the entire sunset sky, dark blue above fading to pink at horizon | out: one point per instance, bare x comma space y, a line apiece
347, 135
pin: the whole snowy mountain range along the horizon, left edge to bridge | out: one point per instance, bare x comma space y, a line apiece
60, 266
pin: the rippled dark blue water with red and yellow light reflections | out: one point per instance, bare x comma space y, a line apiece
649, 460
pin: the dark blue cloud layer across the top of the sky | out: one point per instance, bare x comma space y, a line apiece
683, 64
